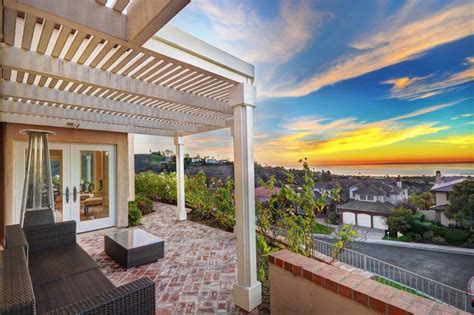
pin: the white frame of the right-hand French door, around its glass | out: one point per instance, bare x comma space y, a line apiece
96, 224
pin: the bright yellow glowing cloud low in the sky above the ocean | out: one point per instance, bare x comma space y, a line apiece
319, 135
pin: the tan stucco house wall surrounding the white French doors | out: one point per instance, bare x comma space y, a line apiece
68, 135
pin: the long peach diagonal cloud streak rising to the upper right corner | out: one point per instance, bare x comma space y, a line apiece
388, 47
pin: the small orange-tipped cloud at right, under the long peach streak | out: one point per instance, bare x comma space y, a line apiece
418, 88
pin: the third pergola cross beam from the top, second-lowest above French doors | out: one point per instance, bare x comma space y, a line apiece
78, 115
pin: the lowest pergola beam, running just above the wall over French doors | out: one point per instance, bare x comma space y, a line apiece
71, 123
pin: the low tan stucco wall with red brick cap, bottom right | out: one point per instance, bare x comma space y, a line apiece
300, 285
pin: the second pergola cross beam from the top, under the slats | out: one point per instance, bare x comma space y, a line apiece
33, 92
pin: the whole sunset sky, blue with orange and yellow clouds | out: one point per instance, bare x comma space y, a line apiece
345, 82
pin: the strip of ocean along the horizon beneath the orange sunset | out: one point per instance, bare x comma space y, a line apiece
447, 169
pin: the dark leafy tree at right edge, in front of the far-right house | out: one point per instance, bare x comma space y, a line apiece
461, 207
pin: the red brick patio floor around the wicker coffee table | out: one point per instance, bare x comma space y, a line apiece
197, 273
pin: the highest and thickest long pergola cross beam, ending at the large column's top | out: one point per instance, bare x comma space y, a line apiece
28, 61
